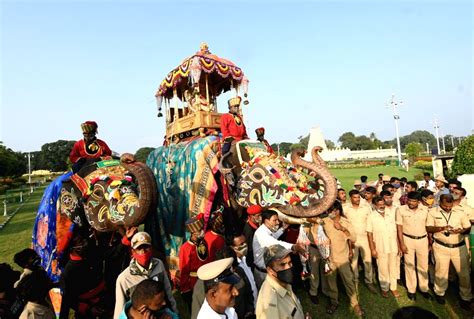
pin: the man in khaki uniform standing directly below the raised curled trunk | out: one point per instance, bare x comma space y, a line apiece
342, 236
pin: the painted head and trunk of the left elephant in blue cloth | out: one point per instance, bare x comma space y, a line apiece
108, 194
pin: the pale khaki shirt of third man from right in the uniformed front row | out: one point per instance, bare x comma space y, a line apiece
384, 231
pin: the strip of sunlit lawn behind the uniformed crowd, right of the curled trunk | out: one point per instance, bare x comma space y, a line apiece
347, 175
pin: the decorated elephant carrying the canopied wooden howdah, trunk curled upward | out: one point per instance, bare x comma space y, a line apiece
193, 178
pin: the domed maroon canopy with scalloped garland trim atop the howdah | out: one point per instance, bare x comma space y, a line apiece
221, 75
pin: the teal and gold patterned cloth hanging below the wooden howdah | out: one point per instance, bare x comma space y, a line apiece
184, 175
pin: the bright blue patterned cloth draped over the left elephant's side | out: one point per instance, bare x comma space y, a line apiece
44, 235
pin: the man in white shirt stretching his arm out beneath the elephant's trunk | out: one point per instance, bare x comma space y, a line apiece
265, 236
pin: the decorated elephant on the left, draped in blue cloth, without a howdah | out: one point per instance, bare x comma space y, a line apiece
105, 194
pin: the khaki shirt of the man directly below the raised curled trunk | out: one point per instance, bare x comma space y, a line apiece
339, 245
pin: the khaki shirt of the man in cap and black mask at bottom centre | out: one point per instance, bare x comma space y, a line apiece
275, 301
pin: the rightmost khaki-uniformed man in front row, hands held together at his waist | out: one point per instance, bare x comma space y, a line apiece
449, 225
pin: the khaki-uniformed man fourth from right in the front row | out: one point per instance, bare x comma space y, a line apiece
357, 216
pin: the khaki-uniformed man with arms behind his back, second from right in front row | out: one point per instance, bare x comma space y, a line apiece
413, 241
